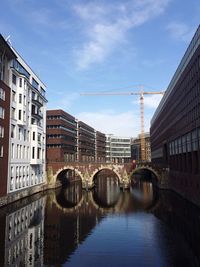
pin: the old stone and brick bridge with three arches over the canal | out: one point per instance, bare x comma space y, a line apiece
87, 172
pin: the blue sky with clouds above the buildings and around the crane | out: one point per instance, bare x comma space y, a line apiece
80, 46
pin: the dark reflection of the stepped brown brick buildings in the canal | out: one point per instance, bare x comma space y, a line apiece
66, 229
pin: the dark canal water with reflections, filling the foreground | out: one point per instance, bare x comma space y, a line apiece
104, 227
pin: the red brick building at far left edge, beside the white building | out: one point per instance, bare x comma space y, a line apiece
6, 55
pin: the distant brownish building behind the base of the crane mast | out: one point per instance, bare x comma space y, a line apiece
136, 148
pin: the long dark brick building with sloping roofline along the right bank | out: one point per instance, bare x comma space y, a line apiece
175, 126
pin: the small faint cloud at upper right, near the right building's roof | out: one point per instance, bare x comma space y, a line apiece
180, 31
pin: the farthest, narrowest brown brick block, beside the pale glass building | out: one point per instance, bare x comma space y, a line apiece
100, 147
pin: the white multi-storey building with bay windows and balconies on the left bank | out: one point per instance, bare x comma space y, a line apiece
27, 127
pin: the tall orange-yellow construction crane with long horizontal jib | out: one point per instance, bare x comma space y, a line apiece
141, 93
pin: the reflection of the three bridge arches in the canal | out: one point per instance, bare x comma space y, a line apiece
105, 197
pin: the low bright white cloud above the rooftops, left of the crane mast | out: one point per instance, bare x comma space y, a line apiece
110, 122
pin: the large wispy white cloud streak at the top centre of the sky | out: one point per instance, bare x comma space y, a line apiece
107, 26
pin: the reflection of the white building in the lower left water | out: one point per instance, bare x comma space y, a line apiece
24, 228
